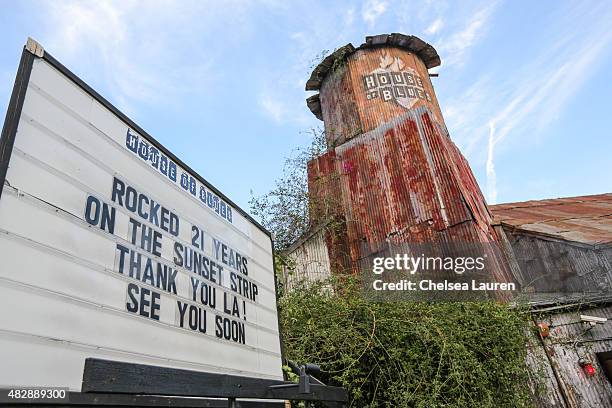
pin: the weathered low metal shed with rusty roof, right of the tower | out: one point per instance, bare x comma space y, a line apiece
564, 266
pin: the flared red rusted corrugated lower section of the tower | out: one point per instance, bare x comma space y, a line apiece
403, 182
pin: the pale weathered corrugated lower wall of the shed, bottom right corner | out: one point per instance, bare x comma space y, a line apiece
569, 341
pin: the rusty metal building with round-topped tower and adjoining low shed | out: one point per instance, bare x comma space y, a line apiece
392, 174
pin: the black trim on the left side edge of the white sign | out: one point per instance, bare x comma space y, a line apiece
13, 113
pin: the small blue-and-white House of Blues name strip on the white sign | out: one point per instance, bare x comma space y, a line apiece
169, 169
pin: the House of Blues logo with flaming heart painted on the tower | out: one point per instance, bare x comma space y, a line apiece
393, 81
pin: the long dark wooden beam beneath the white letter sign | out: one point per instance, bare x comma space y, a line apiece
119, 377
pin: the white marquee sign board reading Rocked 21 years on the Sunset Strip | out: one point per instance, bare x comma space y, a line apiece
112, 248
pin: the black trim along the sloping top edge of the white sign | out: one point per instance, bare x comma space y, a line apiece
100, 99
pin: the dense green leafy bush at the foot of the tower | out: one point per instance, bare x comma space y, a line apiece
408, 354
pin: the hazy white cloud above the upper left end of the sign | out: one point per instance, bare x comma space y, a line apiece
139, 52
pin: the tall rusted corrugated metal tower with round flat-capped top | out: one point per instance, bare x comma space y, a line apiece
391, 172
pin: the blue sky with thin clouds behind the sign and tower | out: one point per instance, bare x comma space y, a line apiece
525, 86
